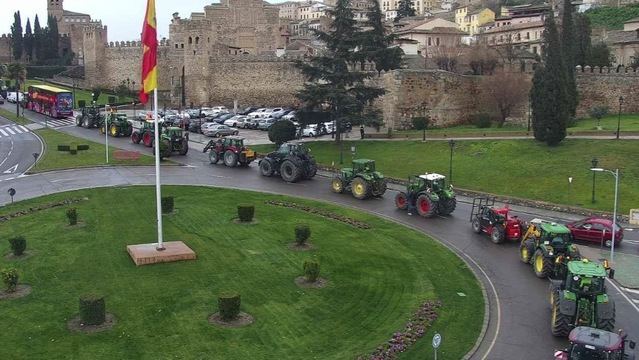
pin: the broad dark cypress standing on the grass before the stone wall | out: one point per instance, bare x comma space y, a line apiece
550, 106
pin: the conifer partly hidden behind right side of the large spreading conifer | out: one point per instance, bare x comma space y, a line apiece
375, 43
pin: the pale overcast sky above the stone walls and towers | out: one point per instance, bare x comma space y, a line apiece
123, 17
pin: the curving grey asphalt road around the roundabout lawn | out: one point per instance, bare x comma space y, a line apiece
519, 324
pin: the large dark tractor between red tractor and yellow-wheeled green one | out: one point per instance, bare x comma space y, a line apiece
292, 160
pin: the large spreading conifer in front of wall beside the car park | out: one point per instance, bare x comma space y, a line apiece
334, 87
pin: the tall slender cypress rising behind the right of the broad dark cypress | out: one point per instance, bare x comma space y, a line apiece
568, 42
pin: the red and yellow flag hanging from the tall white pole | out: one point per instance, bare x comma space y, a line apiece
149, 57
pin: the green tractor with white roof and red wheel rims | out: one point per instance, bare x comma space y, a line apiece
428, 194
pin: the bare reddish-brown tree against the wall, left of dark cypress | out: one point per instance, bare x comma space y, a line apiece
504, 92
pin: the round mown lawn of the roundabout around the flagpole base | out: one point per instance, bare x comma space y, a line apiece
377, 278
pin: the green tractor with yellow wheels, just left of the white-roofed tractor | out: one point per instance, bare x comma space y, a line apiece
362, 180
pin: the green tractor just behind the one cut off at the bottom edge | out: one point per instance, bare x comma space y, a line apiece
580, 299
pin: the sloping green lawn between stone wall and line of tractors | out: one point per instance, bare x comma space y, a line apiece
521, 168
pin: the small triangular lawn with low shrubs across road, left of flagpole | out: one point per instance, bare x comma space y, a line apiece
54, 159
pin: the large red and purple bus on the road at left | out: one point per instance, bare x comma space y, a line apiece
49, 100
